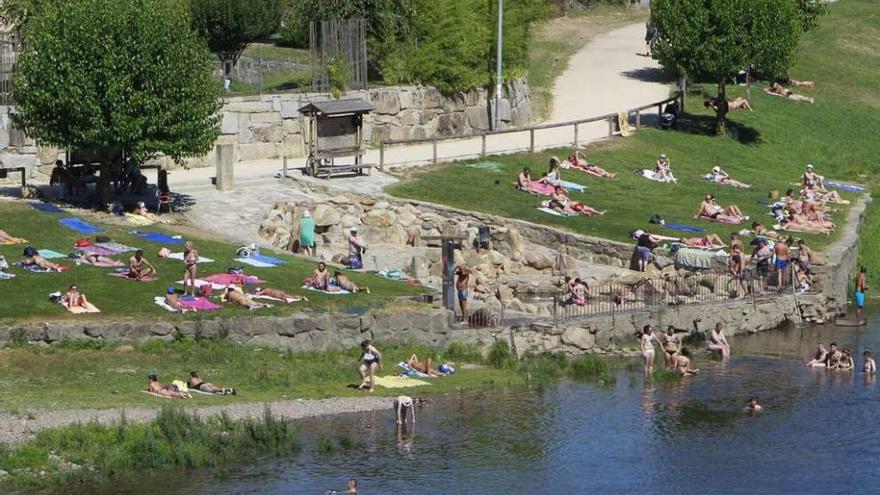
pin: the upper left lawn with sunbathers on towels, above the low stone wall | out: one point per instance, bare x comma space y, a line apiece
26, 297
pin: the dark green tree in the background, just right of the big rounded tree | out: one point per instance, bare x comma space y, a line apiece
229, 26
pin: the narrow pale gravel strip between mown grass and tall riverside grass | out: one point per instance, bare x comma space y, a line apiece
20, 429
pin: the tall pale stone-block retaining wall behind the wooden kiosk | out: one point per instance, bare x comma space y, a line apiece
270, 126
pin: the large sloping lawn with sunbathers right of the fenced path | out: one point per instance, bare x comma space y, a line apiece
768, 148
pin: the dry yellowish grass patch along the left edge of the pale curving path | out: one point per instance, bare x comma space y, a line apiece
556, 40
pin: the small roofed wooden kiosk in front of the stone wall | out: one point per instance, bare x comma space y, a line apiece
335, 131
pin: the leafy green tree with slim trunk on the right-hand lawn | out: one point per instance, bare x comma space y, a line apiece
715, 39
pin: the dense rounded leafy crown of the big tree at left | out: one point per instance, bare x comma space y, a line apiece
126, 76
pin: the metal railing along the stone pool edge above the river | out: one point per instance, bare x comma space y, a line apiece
670, 291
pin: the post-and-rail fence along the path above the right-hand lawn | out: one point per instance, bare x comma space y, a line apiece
611, 118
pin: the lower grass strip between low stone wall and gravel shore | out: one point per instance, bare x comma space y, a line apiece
88, 374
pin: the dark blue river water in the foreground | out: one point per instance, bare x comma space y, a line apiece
818, 434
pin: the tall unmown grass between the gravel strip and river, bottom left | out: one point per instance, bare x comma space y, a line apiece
90, 452
